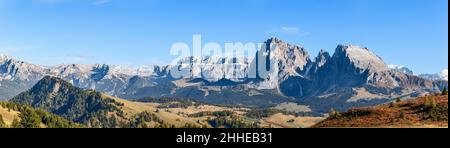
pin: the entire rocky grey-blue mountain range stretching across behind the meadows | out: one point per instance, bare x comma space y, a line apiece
352, 76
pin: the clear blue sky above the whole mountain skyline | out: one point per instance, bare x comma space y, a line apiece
136, 32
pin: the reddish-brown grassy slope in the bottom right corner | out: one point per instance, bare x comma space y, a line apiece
429, 111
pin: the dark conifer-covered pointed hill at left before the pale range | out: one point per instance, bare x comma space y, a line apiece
75, 104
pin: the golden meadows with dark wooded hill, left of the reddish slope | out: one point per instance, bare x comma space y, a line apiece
95, 110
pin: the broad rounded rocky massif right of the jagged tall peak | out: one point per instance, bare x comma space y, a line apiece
353, 66
